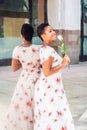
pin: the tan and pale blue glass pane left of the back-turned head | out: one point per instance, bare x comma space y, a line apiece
9, 35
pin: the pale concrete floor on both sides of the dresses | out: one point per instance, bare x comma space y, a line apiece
75, 83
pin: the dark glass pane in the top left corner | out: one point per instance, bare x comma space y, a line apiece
16, 5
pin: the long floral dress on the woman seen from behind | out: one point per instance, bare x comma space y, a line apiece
21, 111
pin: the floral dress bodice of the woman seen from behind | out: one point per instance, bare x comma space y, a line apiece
28, 56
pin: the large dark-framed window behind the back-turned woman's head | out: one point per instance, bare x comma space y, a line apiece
12, 15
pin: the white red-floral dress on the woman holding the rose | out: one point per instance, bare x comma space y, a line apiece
51, 106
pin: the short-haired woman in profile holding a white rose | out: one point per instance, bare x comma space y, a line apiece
51, 106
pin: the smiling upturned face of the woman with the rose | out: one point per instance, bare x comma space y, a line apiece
49, 34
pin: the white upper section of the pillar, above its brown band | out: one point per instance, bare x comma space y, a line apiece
64, 14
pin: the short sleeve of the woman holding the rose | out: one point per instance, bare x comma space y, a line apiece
45, 53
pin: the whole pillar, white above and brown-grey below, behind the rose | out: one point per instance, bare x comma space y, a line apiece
64, 16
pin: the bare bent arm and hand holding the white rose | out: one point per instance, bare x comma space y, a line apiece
49, 70
